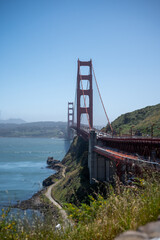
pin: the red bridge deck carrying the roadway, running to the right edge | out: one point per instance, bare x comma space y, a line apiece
142, 146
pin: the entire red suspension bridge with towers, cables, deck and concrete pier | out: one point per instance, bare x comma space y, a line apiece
106, 151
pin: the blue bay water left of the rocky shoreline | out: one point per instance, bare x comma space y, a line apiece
23, 166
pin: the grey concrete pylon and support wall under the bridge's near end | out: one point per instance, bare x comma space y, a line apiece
100, 167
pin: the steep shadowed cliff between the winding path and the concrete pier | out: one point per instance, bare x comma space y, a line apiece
77, 184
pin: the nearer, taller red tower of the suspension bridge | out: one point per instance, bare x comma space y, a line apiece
80, 92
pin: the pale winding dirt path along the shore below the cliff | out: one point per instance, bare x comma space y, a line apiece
67, 222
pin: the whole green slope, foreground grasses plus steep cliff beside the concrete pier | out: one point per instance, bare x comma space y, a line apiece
96, 214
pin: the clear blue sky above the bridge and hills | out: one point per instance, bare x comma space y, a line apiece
41, 40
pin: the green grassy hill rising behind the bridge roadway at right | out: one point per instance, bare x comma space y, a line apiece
141, 119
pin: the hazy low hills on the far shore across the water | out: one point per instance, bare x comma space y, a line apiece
35, 129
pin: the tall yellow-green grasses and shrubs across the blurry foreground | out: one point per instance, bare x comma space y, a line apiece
104, 217
